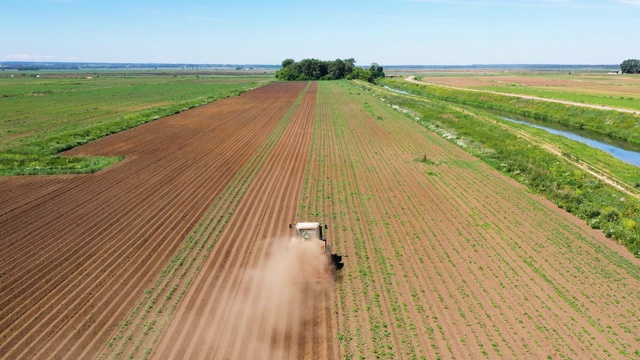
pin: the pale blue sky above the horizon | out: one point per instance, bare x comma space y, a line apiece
430, 32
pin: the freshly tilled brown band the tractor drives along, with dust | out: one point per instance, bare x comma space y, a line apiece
230, 312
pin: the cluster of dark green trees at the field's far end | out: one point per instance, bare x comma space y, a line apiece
314, 69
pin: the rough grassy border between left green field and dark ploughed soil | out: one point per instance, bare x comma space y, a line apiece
41, 156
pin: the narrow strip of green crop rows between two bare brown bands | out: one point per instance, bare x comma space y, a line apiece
141, 330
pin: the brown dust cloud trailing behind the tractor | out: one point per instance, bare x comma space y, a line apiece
273, 302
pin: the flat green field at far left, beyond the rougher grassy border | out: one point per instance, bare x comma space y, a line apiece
32, 108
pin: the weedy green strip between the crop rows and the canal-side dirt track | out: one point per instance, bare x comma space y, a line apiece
571, 188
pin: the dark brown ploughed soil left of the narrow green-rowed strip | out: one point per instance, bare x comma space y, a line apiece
79, 250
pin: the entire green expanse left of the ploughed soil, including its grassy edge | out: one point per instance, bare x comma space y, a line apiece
42, 116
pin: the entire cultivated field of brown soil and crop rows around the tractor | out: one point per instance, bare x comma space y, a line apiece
180, 249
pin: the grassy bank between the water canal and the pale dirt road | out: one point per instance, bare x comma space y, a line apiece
616, 124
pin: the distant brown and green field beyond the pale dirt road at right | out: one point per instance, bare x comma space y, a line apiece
601, 89
